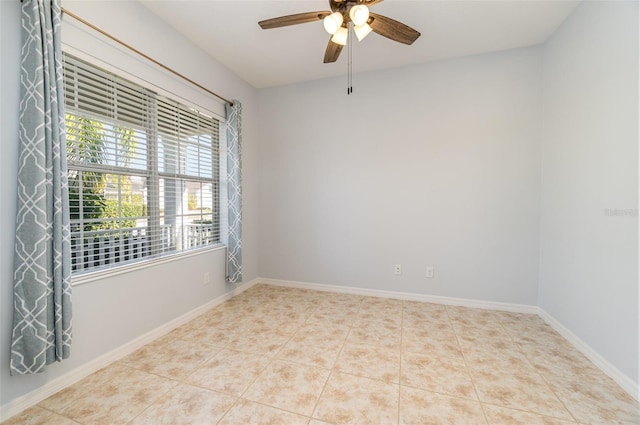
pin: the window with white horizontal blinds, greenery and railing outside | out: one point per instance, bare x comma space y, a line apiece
143, 171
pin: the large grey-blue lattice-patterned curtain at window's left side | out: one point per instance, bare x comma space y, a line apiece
42, 262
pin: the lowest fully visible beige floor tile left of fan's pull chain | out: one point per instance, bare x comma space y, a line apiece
289, 386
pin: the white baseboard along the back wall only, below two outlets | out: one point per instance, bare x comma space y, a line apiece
408, 296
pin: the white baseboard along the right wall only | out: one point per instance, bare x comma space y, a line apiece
626, 383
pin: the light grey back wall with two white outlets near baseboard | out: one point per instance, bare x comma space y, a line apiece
431, 165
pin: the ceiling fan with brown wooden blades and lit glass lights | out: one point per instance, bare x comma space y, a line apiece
336, 22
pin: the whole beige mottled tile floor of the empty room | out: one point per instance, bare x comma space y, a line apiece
277, 355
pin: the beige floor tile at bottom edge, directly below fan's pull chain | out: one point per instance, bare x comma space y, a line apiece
349, 399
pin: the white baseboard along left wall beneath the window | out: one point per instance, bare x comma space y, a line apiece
34, 397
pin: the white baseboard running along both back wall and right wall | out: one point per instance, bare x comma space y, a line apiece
626, 383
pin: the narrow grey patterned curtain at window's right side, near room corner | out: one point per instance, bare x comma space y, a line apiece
234, 192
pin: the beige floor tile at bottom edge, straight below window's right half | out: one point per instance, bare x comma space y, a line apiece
186, 404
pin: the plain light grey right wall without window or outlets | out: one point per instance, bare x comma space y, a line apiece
589, 258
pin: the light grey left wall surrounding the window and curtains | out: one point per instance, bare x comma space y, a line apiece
111, 312
